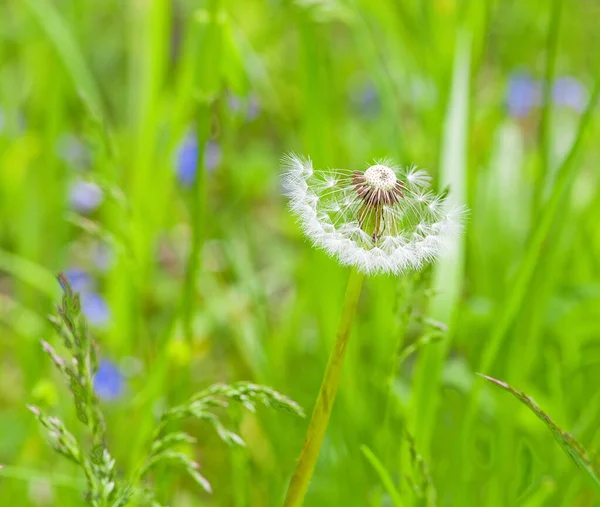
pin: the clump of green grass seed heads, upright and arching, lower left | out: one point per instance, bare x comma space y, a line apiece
104, 489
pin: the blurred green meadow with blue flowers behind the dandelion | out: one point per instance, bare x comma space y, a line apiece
139, 153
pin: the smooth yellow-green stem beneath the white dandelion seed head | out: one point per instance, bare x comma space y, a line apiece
322, 411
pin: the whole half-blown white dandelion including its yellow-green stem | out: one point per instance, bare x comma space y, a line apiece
381, 220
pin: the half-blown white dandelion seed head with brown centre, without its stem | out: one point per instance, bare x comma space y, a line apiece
382, 220
